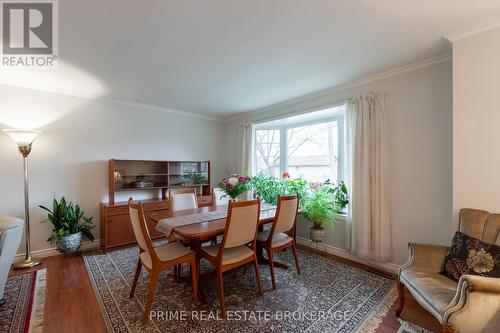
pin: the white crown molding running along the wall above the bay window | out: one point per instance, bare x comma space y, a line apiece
349, 85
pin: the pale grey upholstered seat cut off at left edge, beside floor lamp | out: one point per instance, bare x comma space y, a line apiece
11, 231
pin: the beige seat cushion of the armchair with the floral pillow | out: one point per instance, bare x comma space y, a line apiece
431, 289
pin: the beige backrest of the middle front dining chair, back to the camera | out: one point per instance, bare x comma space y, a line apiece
242, 223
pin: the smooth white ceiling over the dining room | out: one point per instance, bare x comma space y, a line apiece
223, 57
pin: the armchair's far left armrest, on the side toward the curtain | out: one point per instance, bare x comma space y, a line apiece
428, 258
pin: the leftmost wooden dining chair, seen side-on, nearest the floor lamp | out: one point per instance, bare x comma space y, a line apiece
157, 259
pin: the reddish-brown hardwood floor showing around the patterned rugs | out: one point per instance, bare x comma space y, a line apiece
71, 306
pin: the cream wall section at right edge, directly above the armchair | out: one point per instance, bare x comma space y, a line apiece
476, 122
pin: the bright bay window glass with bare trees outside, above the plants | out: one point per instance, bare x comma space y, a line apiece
308, 146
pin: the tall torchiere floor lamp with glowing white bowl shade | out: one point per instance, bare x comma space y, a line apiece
24, 139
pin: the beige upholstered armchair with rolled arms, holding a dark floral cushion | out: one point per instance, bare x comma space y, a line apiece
470, 306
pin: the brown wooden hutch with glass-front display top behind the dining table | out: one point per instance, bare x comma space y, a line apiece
129, 177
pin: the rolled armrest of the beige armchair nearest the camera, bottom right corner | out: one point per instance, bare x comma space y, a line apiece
475, 307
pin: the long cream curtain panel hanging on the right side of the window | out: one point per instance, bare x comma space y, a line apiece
367, 158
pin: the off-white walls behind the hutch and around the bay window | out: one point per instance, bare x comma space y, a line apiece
70, 157
